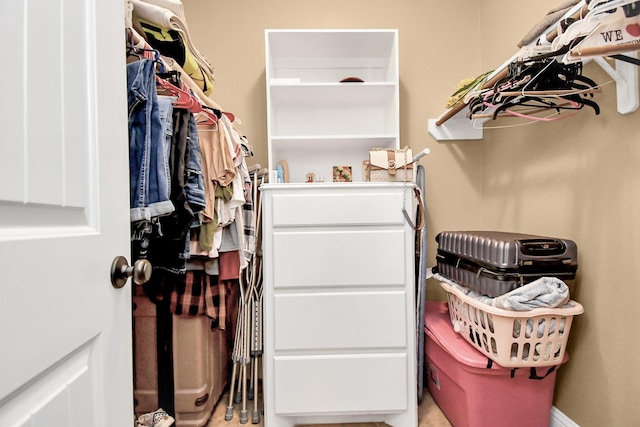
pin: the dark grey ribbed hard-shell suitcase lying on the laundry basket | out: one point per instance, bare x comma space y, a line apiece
494, 262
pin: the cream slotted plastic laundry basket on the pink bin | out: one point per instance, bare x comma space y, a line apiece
535, 337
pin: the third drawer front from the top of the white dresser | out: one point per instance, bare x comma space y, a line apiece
353, 320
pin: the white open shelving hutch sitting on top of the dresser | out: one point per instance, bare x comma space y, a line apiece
314, 122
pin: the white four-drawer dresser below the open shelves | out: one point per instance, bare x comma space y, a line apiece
339, 304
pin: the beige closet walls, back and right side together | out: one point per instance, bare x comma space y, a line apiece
575, 178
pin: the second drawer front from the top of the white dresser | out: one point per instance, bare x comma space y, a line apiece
339, 258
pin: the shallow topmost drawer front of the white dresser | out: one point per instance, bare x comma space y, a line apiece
349, 208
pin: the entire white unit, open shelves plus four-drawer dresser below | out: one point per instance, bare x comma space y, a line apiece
339, 302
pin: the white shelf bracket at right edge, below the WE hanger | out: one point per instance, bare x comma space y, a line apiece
626, 78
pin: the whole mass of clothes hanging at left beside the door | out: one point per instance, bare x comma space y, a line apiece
175, 200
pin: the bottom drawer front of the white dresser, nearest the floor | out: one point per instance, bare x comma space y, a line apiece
342, 384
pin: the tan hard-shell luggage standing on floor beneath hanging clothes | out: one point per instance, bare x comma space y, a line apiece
198, 359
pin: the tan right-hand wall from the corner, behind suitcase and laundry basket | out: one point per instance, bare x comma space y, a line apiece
577, 178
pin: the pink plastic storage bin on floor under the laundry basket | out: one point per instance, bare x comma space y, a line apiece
470, 393
